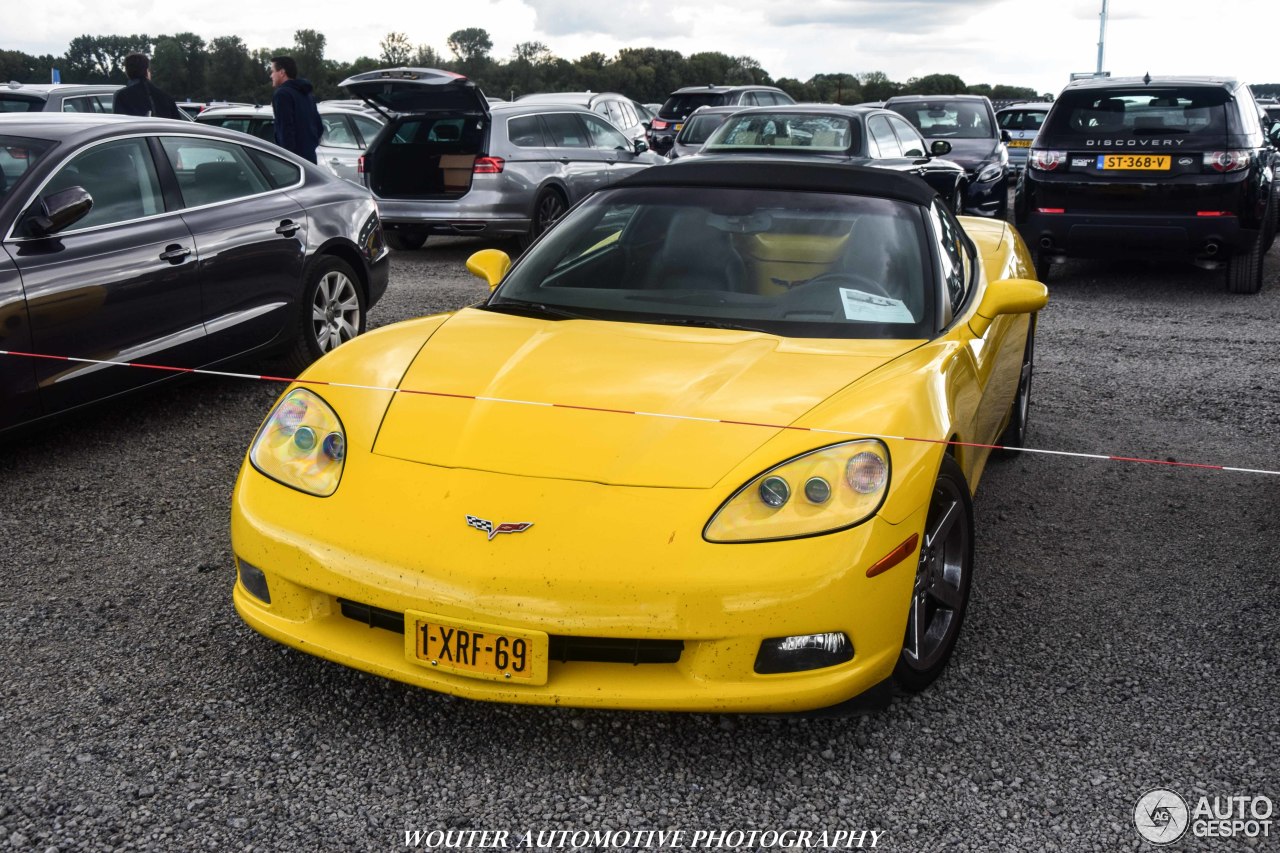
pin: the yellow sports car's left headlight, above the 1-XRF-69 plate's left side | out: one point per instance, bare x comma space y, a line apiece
301, 445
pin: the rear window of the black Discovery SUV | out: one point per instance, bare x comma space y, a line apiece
1146, 112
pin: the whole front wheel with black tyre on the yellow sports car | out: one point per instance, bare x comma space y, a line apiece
943, 577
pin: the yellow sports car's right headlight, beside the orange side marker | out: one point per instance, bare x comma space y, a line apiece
824, 491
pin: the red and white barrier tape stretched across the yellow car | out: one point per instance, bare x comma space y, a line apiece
1105, 458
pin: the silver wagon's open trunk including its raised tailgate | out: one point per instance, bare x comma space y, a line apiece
440, 125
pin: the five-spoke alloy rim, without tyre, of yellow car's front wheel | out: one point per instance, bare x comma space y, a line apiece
939, 595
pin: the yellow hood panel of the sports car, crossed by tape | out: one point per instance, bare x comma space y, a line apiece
559, 399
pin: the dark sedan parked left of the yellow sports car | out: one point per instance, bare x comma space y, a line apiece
167, 244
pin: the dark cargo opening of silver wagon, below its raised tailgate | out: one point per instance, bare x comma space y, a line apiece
427, 157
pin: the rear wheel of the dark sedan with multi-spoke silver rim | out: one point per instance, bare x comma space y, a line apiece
333, 311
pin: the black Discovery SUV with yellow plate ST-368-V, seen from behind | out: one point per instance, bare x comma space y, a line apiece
1153, 166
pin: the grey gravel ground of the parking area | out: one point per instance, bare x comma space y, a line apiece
1122, 636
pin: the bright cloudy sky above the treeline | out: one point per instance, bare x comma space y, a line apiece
984, 42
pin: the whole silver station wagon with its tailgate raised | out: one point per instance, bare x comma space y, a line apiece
452, 163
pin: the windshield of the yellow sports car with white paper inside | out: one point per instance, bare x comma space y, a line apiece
796, 264
